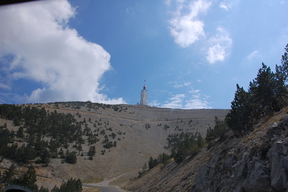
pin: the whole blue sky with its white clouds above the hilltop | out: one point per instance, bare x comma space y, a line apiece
191, 53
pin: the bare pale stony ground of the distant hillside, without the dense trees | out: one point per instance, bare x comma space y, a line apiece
137, 133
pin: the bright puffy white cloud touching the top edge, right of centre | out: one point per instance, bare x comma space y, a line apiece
185, 27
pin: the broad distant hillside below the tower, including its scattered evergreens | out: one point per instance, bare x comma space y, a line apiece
124, 137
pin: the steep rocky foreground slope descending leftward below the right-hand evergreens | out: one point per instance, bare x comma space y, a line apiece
256, 162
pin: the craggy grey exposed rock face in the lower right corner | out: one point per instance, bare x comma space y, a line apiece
258, 163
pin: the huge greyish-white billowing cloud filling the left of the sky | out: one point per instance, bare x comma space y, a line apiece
48, 52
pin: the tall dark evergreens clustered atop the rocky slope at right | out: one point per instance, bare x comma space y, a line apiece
267, 93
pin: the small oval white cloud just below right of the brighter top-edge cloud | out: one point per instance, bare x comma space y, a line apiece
220, 46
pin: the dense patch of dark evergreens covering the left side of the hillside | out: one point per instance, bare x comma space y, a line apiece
35, 125
